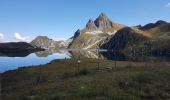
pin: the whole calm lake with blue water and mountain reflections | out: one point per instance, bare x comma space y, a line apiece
14, 61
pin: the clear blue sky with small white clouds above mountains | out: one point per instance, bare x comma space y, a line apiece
23, 20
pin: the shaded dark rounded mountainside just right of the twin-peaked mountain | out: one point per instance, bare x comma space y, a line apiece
124, 38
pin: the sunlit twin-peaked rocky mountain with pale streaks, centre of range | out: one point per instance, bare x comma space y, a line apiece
95, 33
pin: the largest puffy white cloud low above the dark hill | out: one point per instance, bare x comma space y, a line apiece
18, 37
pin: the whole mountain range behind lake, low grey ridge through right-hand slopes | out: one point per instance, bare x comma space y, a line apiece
151, 38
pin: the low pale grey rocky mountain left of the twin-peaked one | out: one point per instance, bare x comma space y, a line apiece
46, 43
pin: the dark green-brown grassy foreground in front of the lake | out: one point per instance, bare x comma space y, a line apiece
60, 81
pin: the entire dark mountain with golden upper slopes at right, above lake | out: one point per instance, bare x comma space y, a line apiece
149, 39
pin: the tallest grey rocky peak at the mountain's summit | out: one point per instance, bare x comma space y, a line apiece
103, 23
